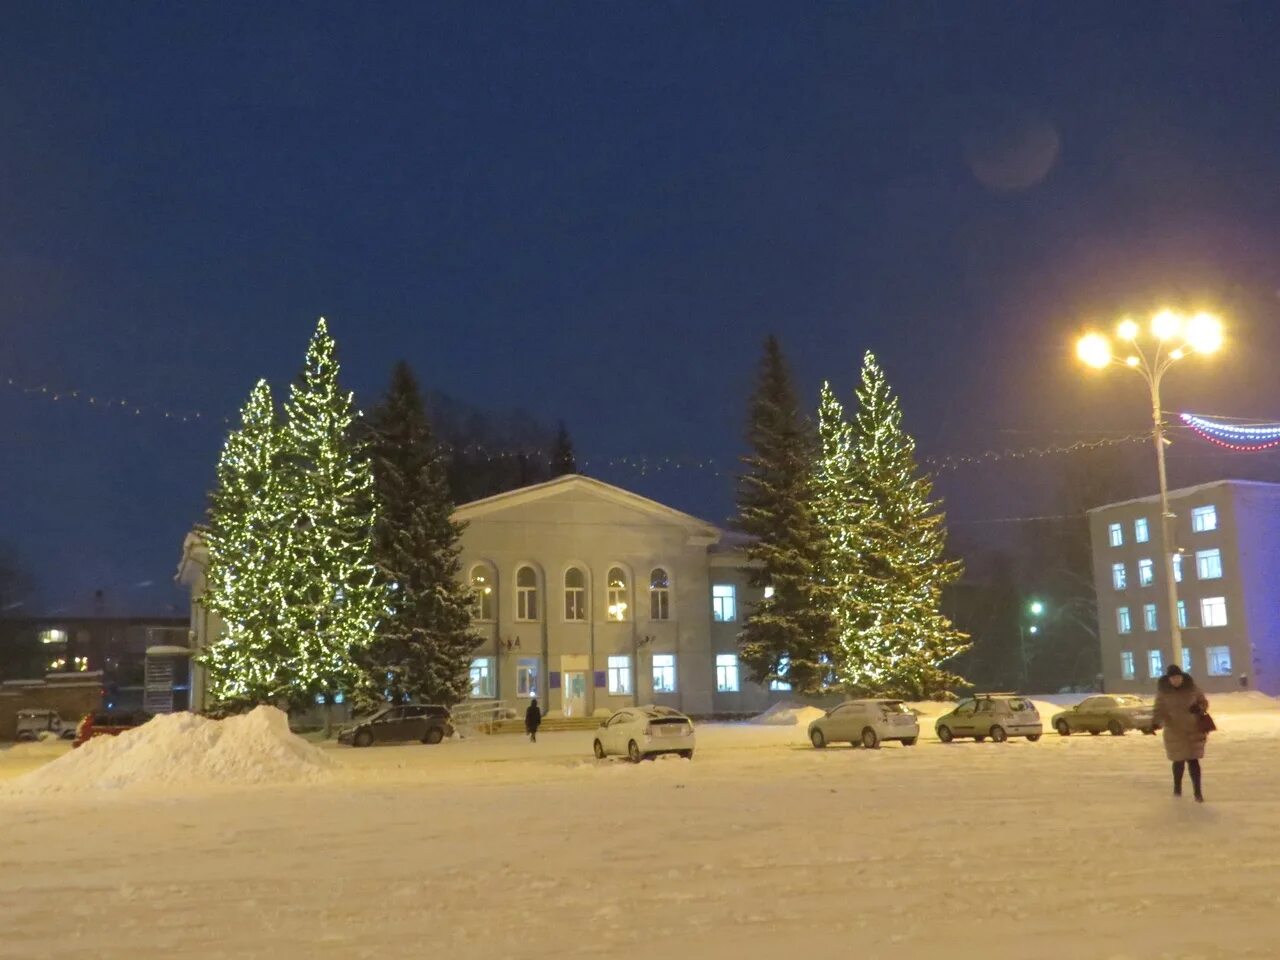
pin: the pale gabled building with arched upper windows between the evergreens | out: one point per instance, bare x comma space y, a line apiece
591, 598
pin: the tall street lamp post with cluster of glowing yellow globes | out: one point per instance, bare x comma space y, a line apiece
1171, 337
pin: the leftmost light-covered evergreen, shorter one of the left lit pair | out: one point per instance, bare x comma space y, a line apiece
250, 661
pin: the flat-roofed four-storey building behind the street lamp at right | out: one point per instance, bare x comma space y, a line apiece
1228, 578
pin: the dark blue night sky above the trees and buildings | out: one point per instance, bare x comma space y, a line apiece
596, 213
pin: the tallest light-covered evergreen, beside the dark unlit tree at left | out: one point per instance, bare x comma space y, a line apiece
333, 595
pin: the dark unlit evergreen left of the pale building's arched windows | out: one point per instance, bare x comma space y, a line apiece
424, 643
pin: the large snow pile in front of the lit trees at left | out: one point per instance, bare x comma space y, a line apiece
184, 751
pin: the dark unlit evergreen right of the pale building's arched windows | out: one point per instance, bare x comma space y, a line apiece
788, 636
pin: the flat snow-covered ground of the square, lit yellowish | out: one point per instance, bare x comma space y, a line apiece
758, 848
